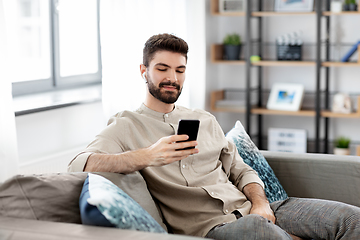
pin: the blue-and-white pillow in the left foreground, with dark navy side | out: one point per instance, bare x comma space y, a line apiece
104, 204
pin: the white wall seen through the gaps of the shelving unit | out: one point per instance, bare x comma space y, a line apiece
344, 79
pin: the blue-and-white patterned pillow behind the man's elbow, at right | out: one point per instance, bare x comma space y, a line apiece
252, 156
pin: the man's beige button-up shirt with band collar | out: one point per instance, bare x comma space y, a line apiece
194, 194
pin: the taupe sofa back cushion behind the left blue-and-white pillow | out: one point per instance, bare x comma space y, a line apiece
55, 197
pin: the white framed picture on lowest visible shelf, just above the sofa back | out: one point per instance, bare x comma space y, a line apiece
287, 140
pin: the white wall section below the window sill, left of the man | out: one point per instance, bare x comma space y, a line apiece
47, 141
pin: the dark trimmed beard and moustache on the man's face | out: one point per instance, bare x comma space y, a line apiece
168, 97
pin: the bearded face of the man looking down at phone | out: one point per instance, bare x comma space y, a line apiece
166, 76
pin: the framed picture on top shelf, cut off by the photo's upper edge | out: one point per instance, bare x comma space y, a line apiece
294, 5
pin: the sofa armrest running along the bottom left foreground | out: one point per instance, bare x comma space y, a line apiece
29, 229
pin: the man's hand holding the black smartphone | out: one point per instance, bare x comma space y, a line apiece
164, 152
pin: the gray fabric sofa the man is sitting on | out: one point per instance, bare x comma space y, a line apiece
46, 206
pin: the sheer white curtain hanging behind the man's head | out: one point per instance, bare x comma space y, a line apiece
125, 25
